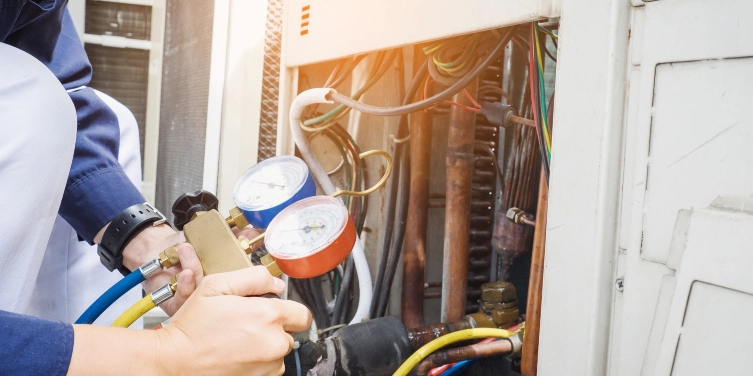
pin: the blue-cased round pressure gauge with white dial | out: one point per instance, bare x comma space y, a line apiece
270, 186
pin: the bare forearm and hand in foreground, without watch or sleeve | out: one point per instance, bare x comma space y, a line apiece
217, 331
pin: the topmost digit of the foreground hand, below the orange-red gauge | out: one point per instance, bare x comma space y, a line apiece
253, 281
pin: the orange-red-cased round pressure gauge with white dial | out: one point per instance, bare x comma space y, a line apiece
311, 236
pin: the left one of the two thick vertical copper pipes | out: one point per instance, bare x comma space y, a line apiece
414, 256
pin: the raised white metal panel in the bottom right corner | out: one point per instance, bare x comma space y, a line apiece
717, 252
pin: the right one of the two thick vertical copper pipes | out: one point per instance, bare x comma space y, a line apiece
459, 163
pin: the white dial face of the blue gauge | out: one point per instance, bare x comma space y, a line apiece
270, 183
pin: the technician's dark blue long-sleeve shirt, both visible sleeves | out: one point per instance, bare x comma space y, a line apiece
97, 189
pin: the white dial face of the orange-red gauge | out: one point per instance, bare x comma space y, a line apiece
306, 227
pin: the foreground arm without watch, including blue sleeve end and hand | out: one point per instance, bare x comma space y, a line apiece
217, 331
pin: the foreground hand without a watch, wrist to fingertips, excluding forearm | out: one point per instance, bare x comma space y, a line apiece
223, 328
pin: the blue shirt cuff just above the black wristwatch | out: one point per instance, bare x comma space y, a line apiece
95, 199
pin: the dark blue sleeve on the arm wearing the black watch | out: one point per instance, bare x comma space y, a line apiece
97, 188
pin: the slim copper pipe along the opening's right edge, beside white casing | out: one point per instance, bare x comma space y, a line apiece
530, 359
